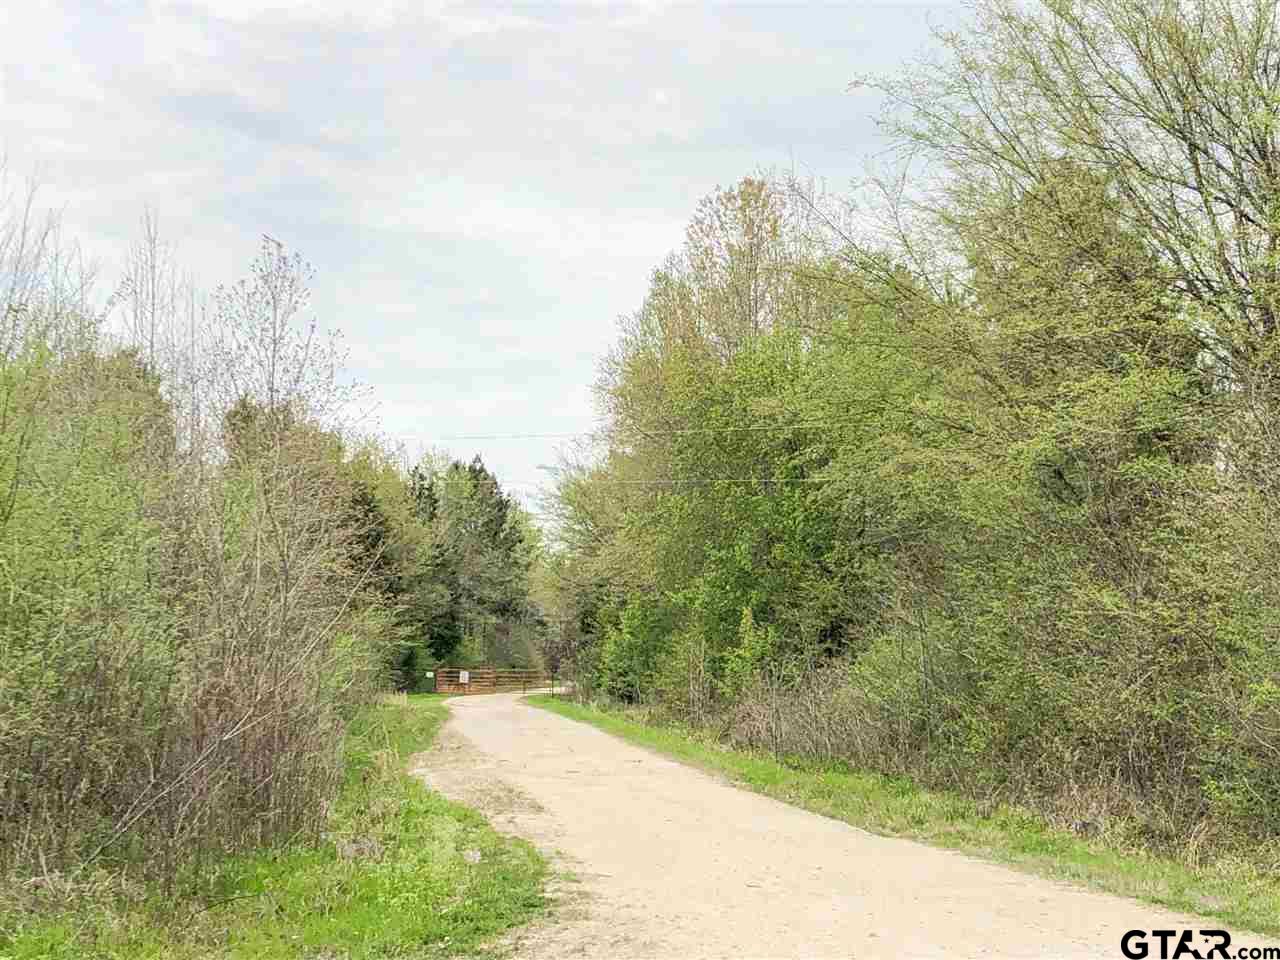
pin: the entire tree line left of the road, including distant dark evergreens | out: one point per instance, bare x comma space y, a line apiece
207, 573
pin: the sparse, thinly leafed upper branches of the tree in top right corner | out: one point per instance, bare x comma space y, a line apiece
1174, 106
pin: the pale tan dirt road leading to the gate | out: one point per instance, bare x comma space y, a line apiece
670, 862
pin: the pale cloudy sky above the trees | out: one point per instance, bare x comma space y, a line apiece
483, 190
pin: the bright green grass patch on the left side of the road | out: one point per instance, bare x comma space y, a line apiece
429, 880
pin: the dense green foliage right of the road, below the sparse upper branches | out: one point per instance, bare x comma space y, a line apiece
998, 509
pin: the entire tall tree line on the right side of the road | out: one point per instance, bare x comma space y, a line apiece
972, 477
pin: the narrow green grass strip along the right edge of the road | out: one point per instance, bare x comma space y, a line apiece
1237, 892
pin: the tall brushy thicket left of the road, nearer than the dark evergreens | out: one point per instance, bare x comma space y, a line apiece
184, 632
